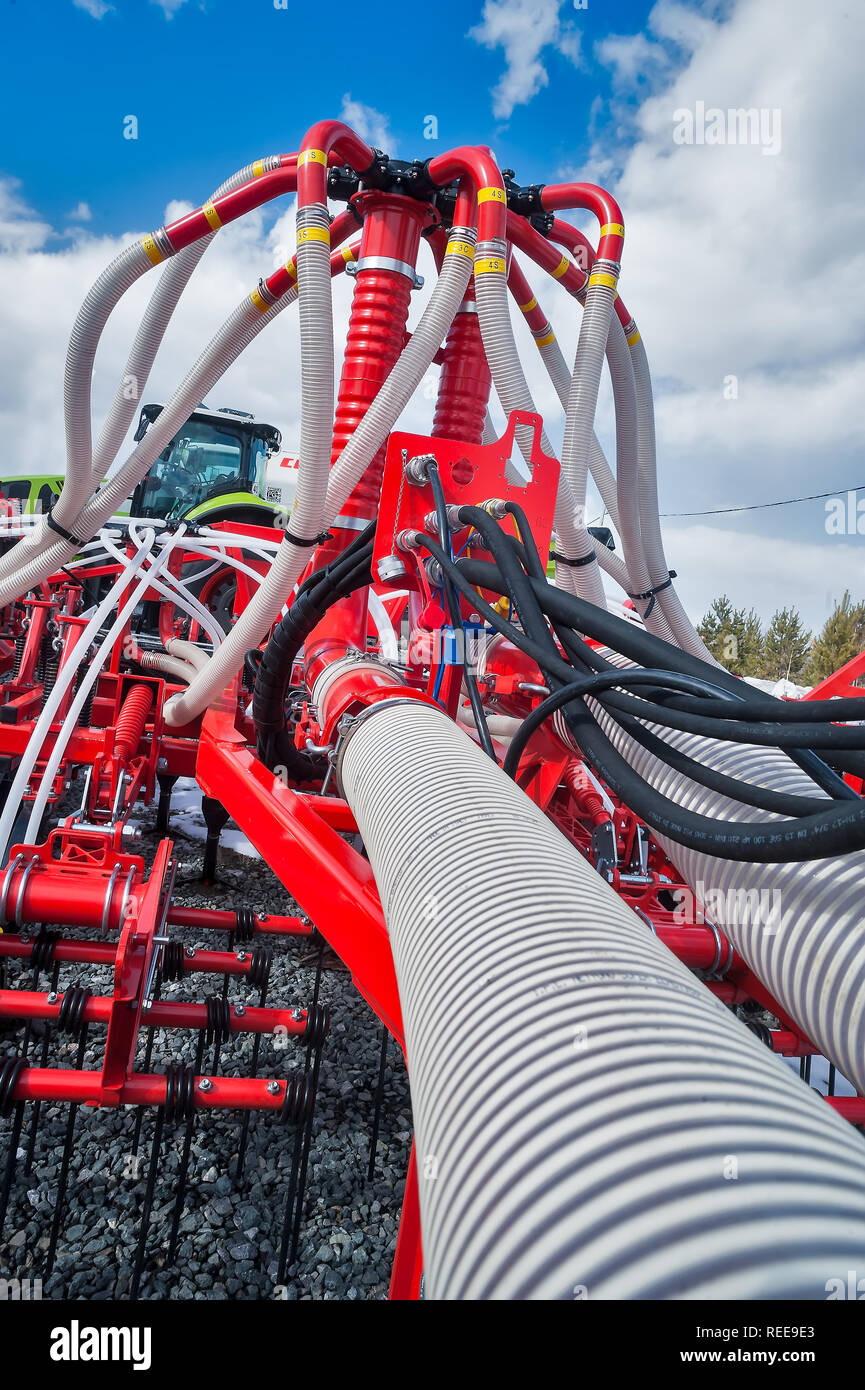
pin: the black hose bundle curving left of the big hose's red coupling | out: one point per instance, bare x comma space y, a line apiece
276, 746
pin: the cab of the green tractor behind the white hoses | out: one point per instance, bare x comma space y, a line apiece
213, 471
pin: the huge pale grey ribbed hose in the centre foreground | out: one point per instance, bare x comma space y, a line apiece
590, 1122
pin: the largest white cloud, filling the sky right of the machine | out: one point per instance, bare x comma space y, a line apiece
738, 265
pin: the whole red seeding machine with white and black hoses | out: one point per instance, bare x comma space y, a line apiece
596, 889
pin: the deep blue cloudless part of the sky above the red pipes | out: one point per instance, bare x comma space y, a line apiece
223, 81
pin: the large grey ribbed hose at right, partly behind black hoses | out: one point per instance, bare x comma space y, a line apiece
800, 926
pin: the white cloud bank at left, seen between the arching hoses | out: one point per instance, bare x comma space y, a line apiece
58, 275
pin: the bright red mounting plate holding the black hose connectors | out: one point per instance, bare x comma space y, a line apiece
471, 475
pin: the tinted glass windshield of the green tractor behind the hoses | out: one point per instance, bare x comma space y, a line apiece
200, 464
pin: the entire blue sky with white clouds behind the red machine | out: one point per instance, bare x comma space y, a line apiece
739, 268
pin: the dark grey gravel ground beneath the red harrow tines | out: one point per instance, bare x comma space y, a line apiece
230, 1232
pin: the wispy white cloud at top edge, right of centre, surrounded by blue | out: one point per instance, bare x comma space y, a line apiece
524, 30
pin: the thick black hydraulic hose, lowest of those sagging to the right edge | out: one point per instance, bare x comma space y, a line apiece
838, 831
